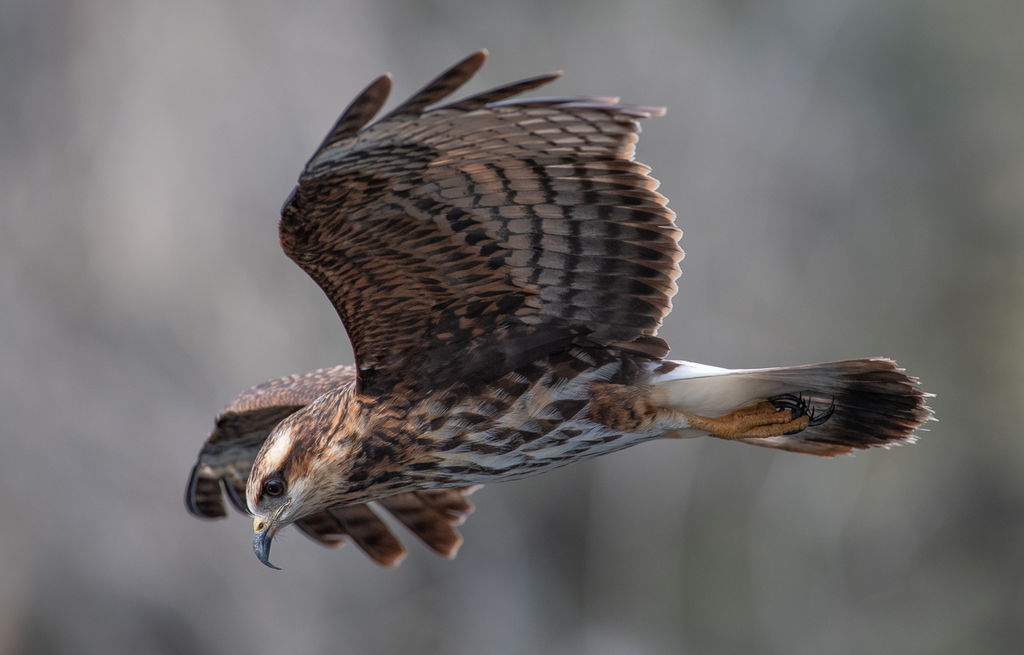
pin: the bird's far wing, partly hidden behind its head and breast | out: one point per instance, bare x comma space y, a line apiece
228, 456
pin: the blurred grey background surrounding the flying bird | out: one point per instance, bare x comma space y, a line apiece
850, 180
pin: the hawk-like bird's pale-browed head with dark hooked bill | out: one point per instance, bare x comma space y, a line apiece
303, 469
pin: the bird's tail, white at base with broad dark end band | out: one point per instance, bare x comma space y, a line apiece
860, 404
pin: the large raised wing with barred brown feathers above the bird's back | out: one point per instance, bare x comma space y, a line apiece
473, 239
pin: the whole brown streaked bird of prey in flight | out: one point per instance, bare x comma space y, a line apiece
502, 267
